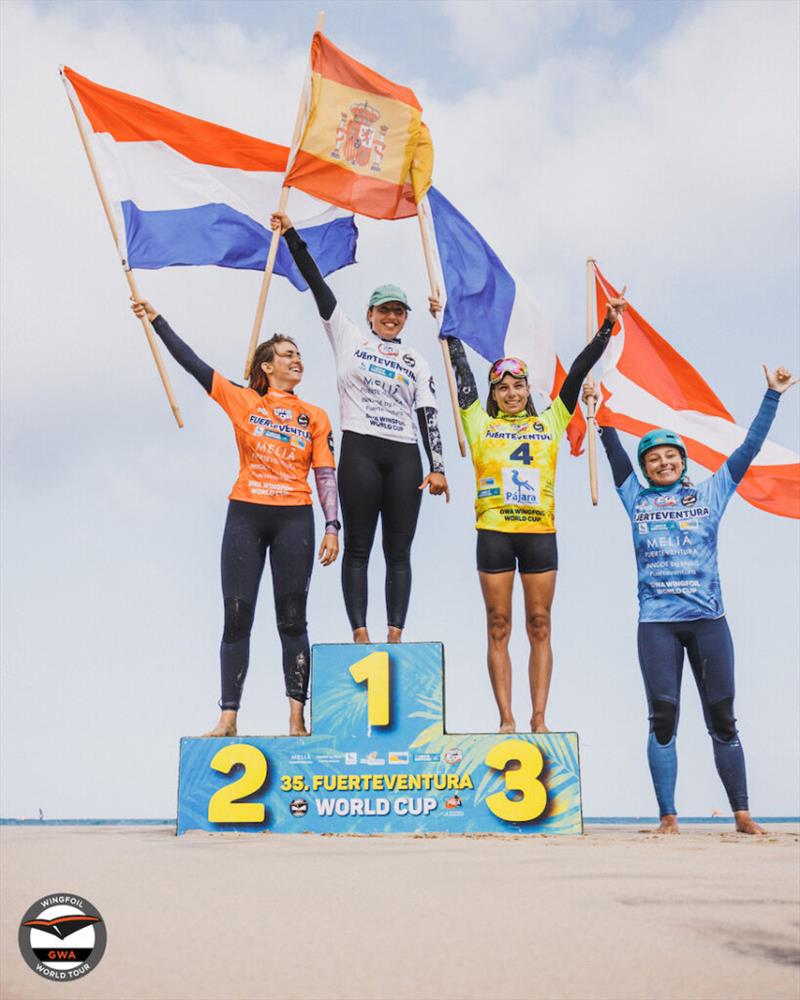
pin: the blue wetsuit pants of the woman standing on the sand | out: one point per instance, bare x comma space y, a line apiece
710, 648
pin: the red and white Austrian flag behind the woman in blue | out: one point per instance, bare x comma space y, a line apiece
646, 384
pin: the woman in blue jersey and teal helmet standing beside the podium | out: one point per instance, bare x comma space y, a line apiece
675, 524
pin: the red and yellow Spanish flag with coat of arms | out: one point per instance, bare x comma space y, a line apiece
363, 146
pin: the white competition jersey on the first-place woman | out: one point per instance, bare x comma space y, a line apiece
381, 382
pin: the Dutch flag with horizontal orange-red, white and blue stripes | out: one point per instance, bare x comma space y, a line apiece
186, 191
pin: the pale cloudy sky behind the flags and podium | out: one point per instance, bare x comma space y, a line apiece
660, 138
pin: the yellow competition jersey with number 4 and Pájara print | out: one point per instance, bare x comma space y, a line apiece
515, 467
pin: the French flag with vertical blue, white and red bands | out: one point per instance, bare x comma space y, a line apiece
487, 308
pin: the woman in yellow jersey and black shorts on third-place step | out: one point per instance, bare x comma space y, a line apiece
514, 451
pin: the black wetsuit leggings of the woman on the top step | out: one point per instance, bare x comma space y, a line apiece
377, 476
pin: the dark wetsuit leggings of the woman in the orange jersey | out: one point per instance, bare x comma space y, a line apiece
288, 533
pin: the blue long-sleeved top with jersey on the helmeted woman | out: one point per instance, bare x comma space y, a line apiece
675, 529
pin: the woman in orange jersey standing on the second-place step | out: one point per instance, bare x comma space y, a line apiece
279, 437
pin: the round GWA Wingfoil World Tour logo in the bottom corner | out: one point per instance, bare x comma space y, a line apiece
62, 936
